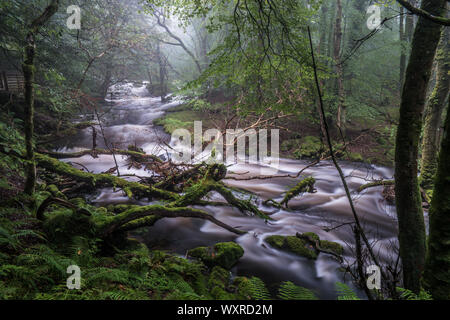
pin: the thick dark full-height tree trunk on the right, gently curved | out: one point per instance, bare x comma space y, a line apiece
408, 199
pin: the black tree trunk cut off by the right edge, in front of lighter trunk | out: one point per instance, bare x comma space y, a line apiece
437, 269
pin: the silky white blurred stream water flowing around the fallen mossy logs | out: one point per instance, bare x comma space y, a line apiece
128, 121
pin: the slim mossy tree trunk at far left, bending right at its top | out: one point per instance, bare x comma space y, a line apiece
29, 71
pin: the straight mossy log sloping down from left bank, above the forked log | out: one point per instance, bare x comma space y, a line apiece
132, 189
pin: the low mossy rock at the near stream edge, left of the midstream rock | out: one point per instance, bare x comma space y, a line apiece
225, 254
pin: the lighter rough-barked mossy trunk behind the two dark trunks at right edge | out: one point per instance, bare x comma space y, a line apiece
434, 112
